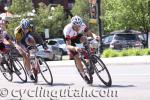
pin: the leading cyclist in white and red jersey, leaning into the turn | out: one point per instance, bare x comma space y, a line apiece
73, 34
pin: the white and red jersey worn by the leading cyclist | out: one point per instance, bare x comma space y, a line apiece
70, 34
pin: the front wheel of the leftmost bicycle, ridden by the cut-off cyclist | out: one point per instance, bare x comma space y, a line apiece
19, 70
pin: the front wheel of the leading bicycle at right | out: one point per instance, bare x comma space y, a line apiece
101, 70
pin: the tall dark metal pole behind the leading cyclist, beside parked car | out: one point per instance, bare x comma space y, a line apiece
99, 23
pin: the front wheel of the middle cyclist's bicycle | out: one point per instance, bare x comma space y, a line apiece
45, 71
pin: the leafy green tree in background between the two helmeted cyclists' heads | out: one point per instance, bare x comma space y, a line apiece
51, 18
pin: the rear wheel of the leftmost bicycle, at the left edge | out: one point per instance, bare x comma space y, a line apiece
6, 72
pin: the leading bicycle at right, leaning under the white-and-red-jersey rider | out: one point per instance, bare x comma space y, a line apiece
94, 64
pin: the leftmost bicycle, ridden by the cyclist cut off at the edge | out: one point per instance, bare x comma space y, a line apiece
10, 64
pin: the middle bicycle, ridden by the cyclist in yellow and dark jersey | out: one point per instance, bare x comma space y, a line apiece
39, 65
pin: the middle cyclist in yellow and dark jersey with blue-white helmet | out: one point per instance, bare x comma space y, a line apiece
23, 39
